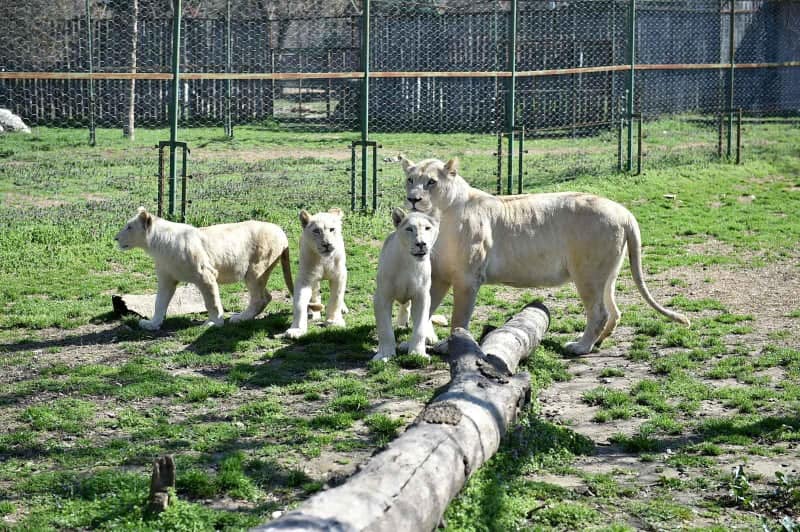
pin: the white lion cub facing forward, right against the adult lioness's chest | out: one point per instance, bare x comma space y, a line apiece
404, 275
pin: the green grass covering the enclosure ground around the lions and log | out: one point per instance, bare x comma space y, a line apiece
89, 400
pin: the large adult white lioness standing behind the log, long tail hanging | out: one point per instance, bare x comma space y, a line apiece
526, 240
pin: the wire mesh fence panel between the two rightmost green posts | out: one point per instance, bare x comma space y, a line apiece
680, 85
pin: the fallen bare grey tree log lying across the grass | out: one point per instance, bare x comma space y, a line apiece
409, 484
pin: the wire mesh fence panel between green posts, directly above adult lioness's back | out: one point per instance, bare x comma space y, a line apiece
570, 117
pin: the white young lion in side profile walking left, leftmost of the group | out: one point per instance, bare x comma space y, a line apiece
206, 256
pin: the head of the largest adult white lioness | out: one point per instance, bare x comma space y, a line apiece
429, 183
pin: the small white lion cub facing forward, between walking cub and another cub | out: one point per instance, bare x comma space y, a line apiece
322, 257
